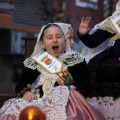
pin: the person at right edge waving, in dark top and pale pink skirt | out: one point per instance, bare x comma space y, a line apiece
105, 66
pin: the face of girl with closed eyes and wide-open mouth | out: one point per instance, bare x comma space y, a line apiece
53, 41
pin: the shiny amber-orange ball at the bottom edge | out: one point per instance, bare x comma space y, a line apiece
32, 113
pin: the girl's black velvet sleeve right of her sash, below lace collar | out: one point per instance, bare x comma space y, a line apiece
81, 75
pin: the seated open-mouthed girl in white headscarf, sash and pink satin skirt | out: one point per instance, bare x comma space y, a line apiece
46, 81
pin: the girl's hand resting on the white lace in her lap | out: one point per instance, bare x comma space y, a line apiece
29, 96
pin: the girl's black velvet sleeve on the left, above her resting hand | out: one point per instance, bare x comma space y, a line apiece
28, 76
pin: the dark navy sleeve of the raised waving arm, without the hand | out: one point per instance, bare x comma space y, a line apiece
94, 39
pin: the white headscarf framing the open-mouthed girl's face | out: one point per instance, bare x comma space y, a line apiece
38, 48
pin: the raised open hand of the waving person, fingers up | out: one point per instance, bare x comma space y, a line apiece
84, 25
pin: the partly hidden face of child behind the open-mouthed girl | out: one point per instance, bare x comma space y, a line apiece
69, 37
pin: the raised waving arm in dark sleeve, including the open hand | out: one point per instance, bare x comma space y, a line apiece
96, 38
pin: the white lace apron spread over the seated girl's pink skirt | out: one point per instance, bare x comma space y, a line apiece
53, 104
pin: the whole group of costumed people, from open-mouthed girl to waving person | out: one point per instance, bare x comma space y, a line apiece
62, 83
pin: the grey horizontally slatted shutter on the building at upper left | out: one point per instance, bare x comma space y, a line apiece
32, 13
